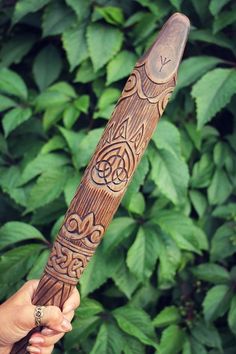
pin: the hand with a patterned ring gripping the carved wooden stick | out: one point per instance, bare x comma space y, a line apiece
18, 315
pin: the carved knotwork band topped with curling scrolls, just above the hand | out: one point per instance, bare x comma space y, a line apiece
75, 244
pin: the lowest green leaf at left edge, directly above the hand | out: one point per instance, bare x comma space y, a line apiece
15, 263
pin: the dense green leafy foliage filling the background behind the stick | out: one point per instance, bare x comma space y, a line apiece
163, 279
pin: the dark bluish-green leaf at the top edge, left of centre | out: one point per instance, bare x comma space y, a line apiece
56, 19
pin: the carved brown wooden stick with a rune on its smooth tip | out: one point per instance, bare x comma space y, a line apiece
113, 164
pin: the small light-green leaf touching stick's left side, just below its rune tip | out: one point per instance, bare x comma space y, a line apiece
120, 66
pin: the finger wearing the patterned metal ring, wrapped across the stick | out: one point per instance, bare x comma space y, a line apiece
52, 318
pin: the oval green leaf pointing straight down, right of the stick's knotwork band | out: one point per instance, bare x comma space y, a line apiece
146, 249
